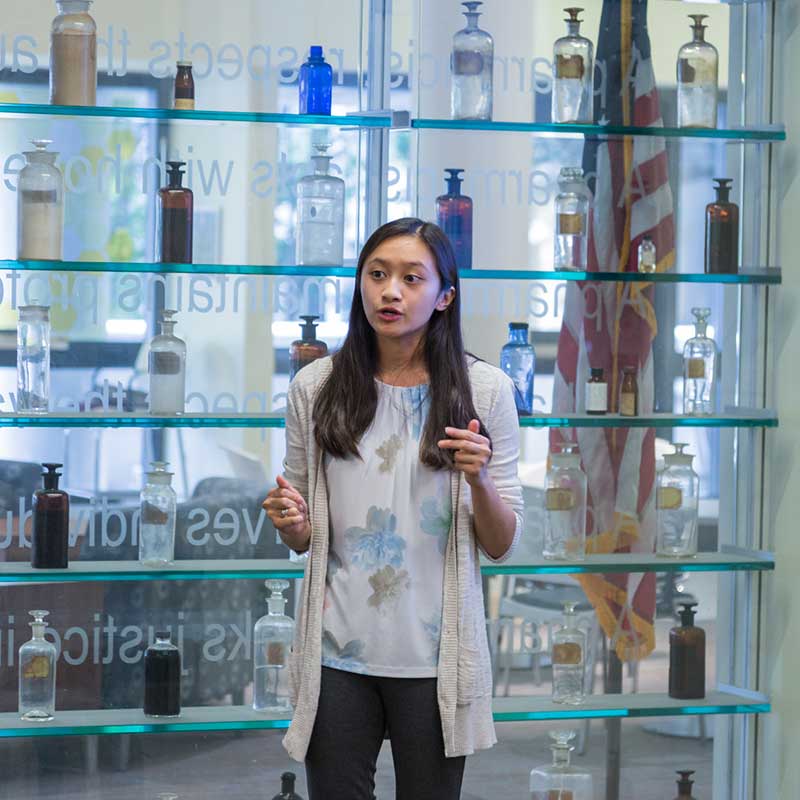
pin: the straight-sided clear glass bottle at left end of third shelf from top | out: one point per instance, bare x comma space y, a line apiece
33, 359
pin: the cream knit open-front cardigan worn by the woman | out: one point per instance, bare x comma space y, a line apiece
464, 678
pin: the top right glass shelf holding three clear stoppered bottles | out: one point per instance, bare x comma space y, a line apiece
768, 133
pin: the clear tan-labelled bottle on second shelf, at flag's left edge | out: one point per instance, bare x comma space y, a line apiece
572, 220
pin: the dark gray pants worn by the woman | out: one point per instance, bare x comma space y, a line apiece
354, 713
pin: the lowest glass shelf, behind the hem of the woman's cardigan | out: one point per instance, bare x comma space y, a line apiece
506, 709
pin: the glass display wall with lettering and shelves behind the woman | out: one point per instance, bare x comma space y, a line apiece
250, 158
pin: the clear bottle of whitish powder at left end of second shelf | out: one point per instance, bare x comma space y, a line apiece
40, 205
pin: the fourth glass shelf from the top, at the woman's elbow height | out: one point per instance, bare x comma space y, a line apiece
262, 569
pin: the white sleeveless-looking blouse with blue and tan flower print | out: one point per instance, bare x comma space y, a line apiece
390, 517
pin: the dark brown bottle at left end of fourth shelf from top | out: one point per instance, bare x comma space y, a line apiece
50, 538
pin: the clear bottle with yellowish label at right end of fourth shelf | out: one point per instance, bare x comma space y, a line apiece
677, 500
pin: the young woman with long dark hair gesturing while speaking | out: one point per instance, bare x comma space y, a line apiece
401, 465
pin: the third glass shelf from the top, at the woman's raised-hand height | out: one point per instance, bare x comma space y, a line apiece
744, 418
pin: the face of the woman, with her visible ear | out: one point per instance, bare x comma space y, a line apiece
401, 288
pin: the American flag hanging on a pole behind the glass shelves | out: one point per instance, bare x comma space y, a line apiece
612, 325
